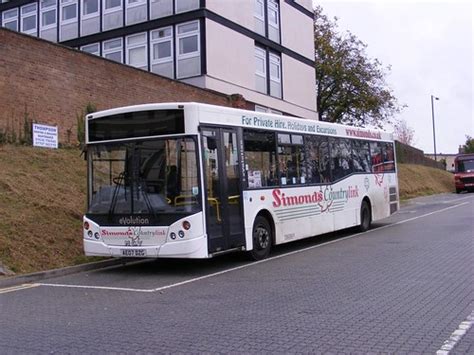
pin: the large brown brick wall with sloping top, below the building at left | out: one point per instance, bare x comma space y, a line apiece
53, 84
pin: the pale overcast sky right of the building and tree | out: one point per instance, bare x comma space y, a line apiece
429, 45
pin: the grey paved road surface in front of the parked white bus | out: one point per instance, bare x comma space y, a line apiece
407, 286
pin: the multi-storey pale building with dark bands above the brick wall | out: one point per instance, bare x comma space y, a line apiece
261, 49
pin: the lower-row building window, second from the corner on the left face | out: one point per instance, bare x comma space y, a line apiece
162, 52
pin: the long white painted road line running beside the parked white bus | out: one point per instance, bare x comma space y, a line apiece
162, 288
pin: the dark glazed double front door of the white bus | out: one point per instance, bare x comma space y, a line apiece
223, 190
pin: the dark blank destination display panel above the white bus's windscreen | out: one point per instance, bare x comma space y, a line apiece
136, 124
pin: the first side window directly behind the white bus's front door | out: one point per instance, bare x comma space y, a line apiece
260, 158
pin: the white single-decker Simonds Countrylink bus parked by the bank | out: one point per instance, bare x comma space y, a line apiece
189, 180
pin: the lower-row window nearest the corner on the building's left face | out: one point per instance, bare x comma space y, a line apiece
188, 49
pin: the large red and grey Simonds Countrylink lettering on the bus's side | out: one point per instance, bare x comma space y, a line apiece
282, 199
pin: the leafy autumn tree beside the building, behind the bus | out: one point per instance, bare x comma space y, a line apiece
351, 88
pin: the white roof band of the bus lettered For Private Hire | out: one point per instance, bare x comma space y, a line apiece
254, 119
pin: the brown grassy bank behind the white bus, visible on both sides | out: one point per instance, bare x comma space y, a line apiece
43, 196
